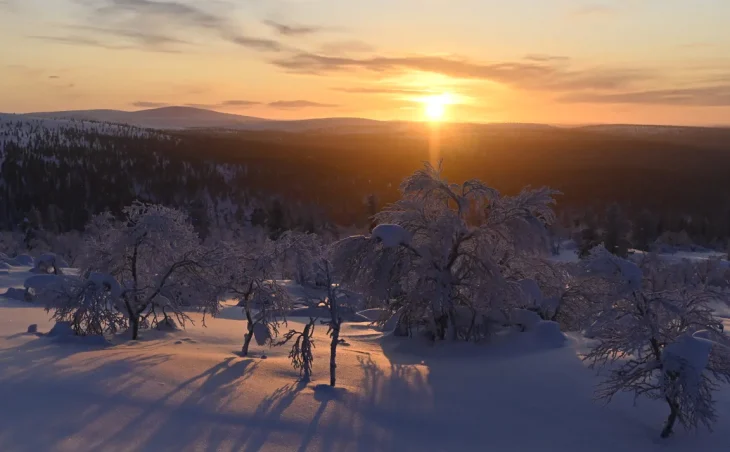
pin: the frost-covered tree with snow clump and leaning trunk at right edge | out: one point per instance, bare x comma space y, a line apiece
658, 337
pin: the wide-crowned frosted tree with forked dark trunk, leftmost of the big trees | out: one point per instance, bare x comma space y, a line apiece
157, 256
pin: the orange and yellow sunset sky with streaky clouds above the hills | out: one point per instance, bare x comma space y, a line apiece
549, 61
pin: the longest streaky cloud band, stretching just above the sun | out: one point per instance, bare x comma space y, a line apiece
539, 75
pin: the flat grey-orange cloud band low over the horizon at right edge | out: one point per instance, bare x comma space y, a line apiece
712, 96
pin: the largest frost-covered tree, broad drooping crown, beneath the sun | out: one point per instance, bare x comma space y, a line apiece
447, 256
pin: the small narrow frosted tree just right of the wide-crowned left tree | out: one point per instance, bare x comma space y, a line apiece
253, 270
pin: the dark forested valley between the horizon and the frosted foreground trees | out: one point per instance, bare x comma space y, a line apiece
310, 180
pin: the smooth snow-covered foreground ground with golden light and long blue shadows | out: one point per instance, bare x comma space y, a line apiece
189, 391
